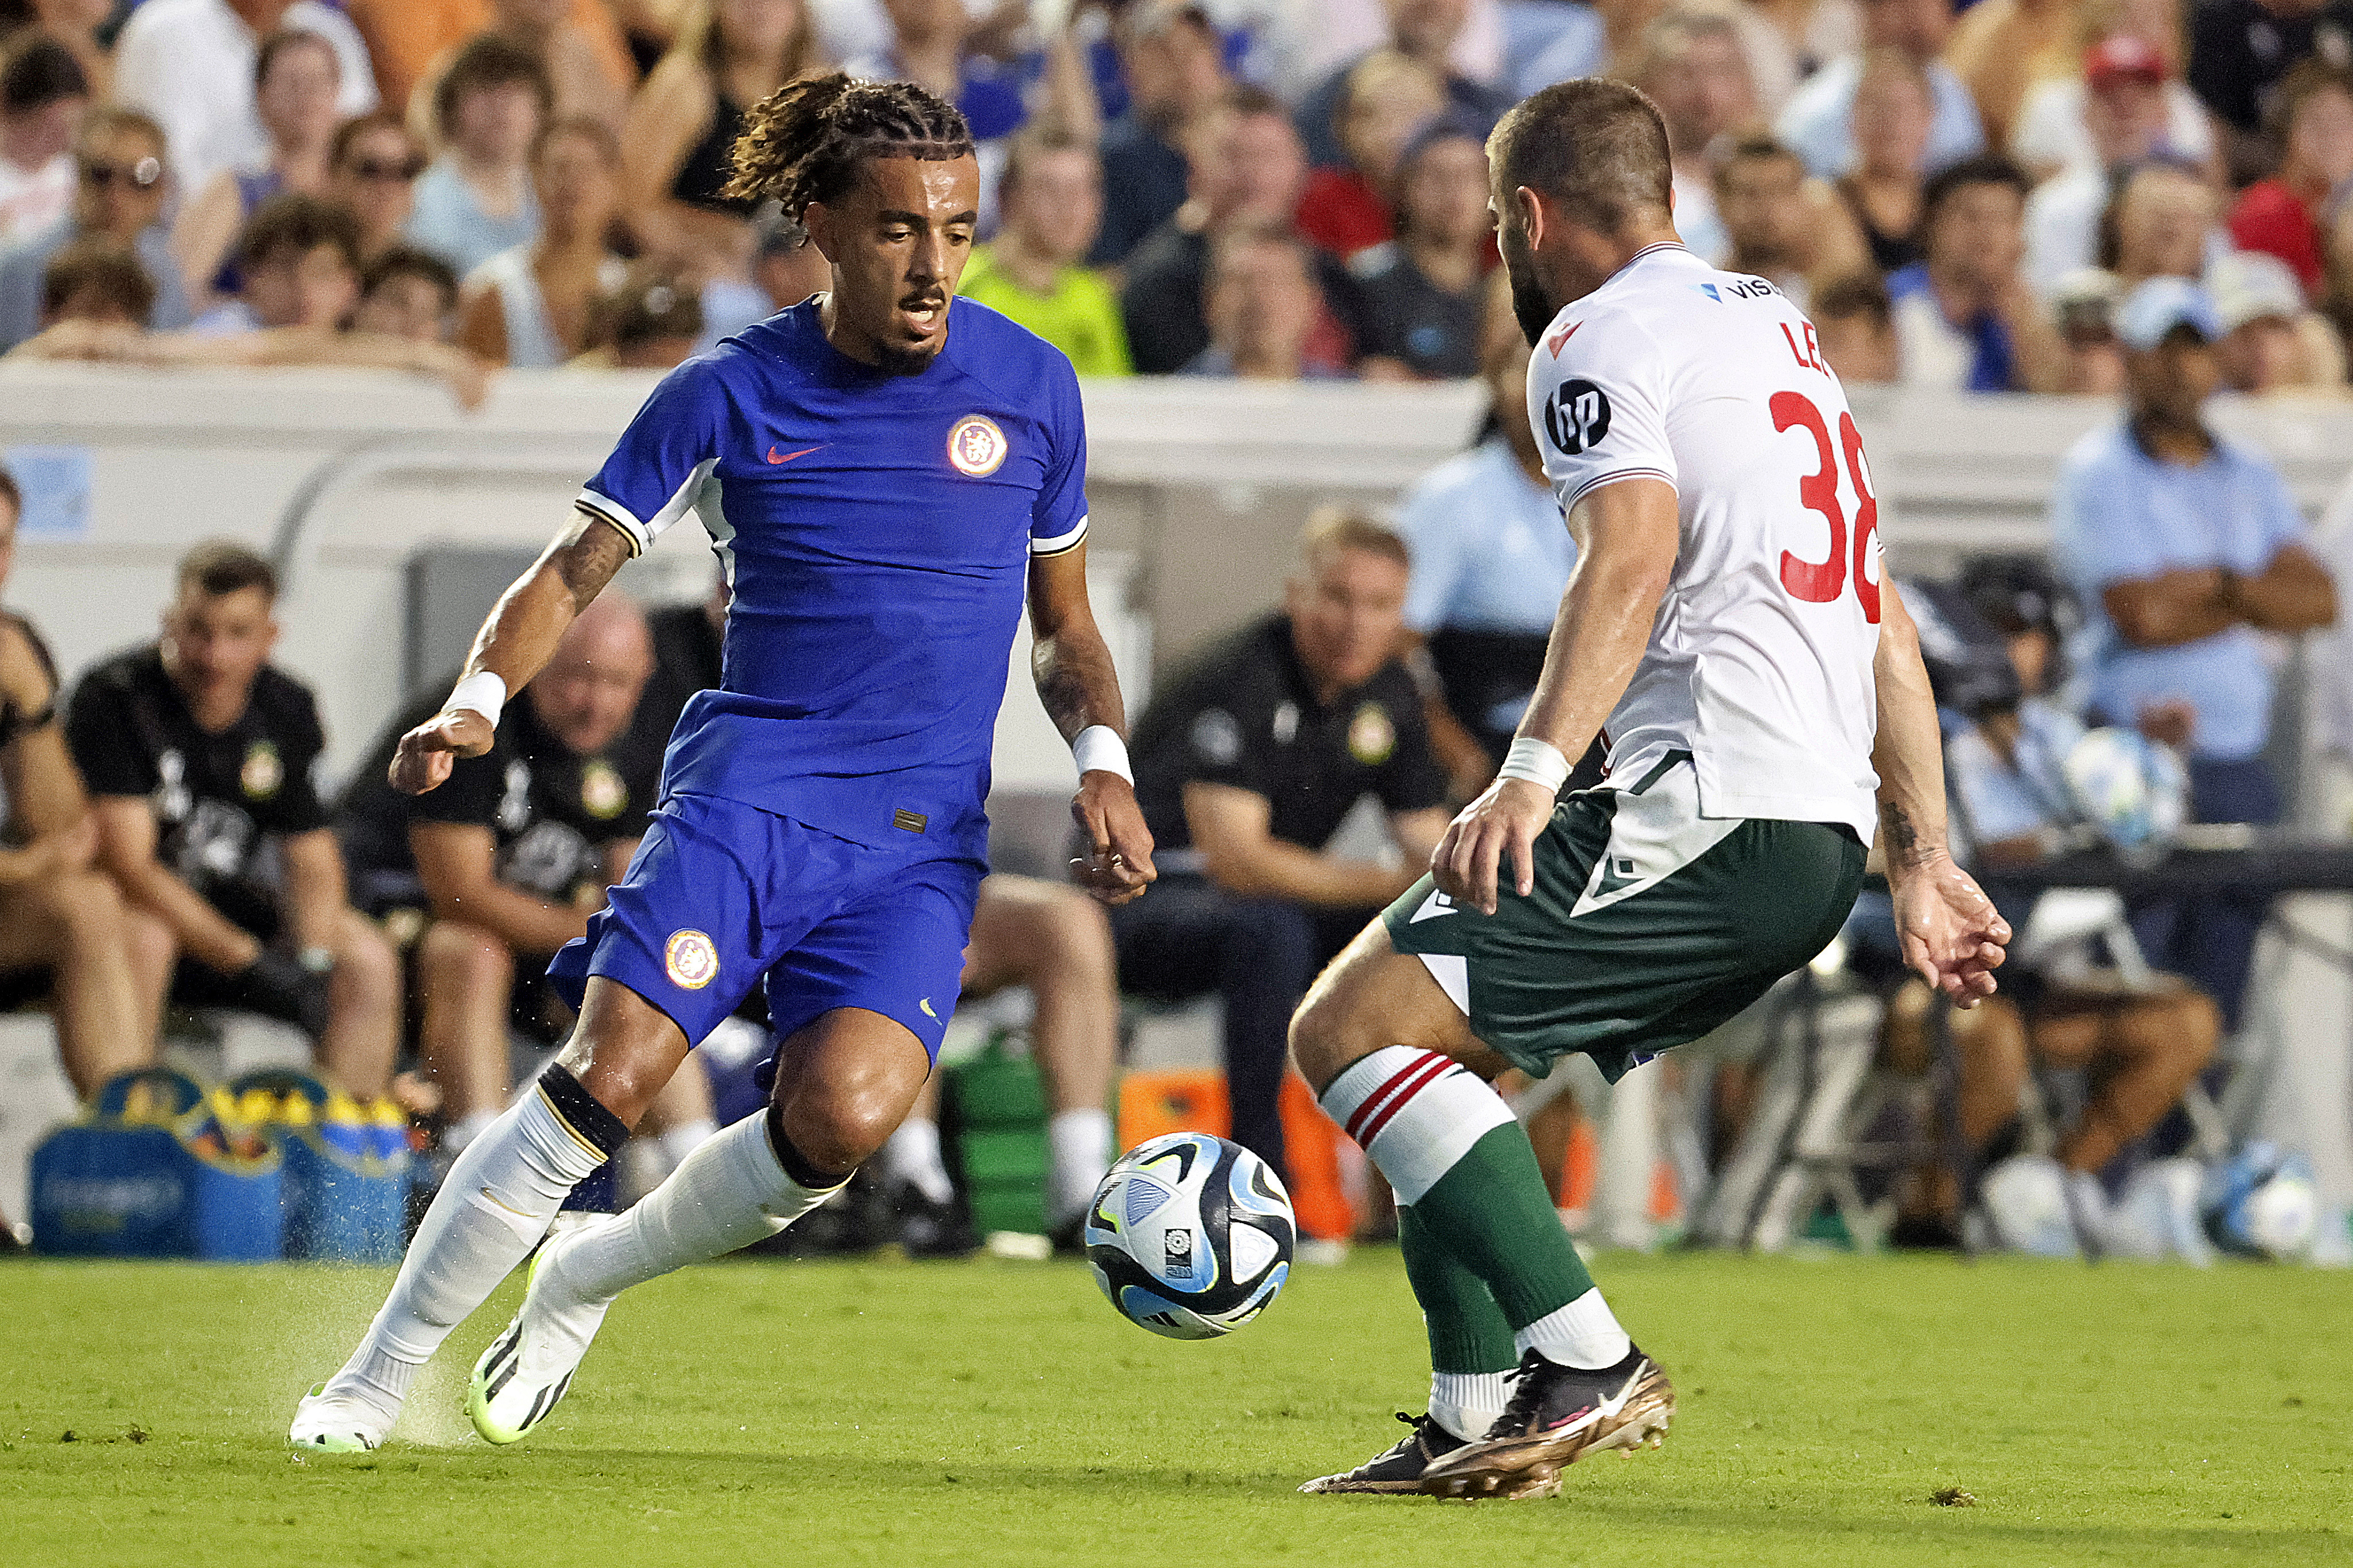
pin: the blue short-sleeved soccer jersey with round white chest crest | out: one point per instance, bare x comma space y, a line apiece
876, 532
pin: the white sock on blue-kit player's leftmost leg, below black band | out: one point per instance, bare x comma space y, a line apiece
491, 1212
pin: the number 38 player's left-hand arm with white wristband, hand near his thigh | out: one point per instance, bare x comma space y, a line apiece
1627, 558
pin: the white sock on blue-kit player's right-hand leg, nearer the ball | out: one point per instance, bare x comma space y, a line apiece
724, 1195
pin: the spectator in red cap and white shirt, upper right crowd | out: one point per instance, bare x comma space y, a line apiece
2133, 58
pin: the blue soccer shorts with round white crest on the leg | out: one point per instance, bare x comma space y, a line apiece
724, 897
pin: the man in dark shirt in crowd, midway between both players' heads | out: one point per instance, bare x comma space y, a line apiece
1248, 173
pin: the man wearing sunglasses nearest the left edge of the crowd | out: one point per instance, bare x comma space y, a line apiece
119, 194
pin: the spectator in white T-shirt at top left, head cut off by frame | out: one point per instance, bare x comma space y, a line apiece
192, 67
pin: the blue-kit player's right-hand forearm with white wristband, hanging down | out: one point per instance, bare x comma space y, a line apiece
1081, 692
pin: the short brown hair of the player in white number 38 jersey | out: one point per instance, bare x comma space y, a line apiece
1592, 145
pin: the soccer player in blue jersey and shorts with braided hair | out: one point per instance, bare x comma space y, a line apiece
881, 471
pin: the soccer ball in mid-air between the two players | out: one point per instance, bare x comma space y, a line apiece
1192, 1235
